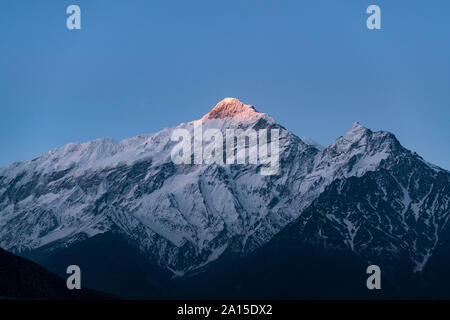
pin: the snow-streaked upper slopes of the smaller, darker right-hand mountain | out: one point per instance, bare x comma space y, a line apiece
396, 213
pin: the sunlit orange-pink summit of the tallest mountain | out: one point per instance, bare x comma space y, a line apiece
232, 108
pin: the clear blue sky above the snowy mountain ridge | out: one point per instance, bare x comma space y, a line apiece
139, 66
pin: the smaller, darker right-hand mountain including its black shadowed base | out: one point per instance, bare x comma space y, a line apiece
395, 216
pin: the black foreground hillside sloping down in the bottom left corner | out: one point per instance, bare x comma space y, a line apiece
24, 279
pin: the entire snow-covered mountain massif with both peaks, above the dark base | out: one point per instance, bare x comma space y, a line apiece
365, 196
